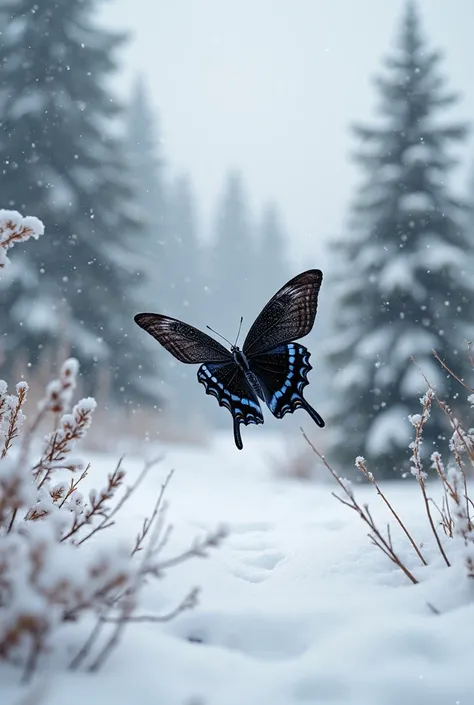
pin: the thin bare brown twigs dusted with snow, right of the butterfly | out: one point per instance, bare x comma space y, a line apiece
450, 520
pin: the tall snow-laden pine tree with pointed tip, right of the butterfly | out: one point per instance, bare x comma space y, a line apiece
403, 286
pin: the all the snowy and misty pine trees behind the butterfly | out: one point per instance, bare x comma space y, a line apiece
123, 234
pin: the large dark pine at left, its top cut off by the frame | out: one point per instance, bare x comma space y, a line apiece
61, 163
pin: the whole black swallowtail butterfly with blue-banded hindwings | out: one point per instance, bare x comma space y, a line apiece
270, 365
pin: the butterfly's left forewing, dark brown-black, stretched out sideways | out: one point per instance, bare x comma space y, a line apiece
186, 343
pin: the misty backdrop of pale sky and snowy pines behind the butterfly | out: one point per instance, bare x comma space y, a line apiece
190, 157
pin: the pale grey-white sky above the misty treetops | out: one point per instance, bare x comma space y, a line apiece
270, 87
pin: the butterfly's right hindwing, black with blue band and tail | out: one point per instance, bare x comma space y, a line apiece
282, 375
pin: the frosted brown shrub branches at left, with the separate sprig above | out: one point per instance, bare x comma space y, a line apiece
54, 567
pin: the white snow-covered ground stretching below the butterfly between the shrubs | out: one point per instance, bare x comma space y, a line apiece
297, 607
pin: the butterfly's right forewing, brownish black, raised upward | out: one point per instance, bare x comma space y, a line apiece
289, 315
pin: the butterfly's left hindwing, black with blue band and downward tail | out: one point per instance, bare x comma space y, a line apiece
228, 384
